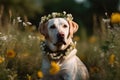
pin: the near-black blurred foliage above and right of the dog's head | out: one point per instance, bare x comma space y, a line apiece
82, 10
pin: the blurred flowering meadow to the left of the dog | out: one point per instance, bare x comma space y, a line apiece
20, 56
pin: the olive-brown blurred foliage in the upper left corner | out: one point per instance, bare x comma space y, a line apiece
10, 9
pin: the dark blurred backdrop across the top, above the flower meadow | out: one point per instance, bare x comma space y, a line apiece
85, 12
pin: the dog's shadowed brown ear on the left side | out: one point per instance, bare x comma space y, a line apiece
43, 29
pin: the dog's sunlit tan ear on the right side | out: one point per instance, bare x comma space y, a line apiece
73, 27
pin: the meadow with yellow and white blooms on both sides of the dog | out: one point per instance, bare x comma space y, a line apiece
20, 56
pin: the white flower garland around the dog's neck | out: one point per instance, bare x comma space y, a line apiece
56, 55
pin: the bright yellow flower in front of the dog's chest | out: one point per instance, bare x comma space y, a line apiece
54, 69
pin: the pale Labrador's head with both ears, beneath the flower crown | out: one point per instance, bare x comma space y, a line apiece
58, 32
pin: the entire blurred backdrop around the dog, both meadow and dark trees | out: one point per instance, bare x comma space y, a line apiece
98, 36
